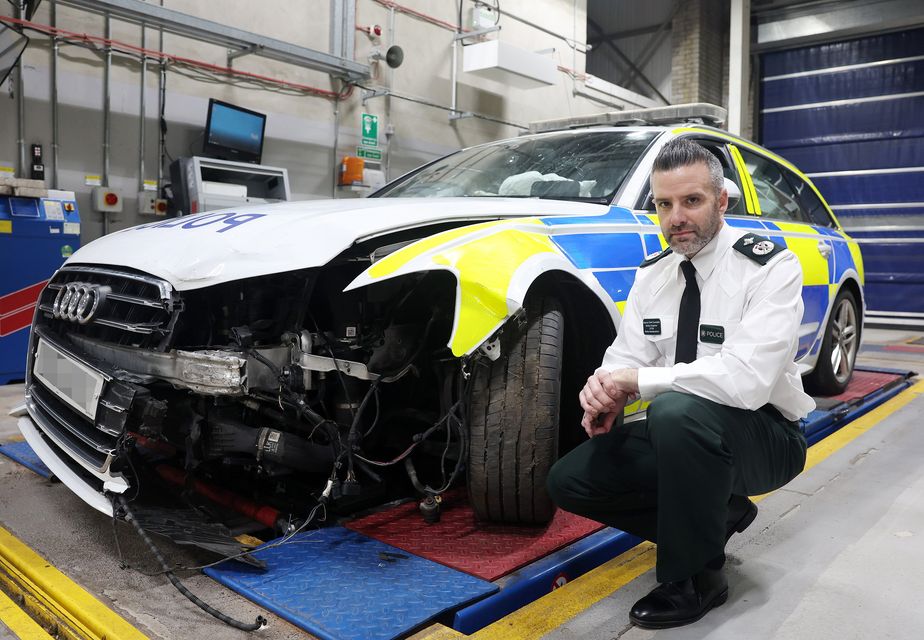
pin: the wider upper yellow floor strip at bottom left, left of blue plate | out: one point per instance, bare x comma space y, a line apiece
58, 593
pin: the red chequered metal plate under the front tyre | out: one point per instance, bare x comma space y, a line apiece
487, 551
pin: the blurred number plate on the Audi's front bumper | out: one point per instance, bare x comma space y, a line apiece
72, 381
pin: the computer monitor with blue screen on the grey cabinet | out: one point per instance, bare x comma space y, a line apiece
233, 133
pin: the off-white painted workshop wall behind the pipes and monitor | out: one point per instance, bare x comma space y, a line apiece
300, 128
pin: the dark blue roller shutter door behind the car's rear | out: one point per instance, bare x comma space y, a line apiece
851, 115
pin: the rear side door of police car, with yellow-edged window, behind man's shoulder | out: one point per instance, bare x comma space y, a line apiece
776, 195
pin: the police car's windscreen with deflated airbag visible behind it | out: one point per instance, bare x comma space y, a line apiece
582, 166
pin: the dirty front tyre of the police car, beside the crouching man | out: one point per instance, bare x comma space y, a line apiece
514, 421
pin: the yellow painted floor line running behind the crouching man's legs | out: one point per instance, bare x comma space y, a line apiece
554, 609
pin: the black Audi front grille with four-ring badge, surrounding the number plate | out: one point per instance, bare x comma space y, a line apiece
125, 308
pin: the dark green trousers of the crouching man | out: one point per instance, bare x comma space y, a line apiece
669, 478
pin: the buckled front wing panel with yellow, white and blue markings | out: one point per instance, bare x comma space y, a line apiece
486, 257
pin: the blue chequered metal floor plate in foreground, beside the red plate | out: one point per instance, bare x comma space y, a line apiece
341, 585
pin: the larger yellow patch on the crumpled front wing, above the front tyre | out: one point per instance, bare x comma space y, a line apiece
485, 267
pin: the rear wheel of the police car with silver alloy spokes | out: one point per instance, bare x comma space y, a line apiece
838, 348
